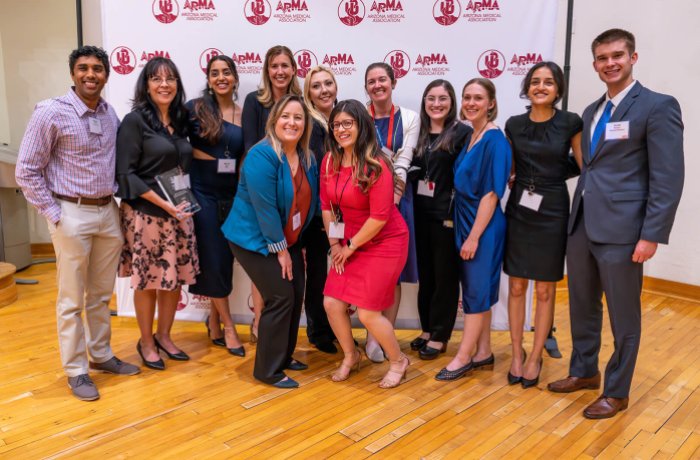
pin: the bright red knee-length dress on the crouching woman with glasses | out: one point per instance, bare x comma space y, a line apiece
372, 271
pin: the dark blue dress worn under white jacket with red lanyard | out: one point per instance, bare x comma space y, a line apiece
410, 270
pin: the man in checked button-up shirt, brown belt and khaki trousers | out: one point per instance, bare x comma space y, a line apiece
66, 170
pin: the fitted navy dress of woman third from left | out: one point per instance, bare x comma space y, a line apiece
215, 192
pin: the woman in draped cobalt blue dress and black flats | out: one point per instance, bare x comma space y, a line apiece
481, 174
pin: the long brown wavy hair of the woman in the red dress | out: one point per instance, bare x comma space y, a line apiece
367, 155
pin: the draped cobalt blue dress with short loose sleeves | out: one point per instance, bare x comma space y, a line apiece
483, 169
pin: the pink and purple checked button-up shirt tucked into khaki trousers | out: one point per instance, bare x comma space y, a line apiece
60, 154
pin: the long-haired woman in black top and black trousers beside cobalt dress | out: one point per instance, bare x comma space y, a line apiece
440, 140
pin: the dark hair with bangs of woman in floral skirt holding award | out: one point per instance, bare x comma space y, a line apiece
142, 100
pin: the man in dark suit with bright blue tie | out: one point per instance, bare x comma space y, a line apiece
624, 206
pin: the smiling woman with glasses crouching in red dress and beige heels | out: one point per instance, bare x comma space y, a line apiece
367, 235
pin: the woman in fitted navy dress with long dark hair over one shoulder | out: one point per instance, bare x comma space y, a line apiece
217, 142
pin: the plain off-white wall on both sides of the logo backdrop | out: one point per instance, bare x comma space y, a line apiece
669, 61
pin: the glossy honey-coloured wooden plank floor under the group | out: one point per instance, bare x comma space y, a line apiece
211, 406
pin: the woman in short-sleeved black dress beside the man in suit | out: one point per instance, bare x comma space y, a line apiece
538, 210
